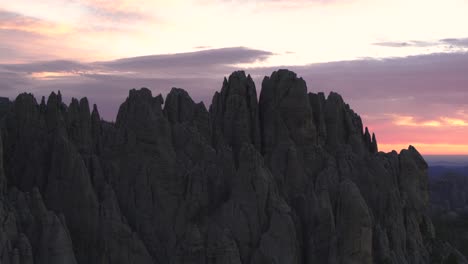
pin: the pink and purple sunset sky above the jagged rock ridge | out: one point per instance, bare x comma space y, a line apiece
401, 64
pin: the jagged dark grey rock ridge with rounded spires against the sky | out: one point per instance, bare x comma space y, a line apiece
292, 177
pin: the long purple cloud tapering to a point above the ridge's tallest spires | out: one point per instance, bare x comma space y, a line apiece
180, 65
